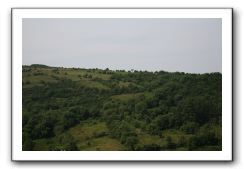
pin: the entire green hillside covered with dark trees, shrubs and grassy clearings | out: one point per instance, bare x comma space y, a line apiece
71, 109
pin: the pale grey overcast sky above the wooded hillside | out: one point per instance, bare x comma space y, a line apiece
185, 45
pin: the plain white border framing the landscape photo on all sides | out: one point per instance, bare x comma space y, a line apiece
19, 155
